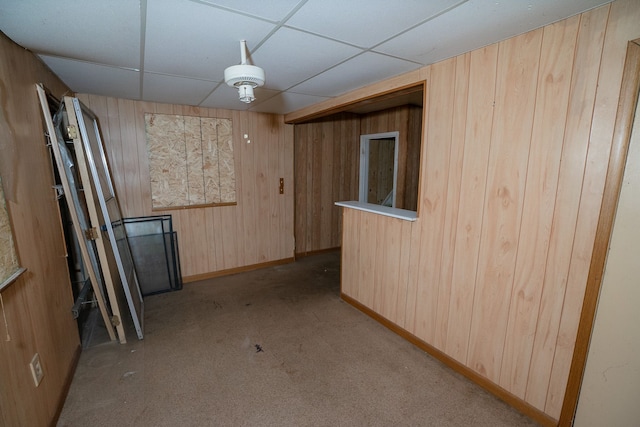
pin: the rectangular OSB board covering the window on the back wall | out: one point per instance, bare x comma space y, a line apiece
190, 160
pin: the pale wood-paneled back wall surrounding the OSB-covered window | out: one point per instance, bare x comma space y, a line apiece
258, 230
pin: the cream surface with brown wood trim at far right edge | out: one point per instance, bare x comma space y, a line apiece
615, 397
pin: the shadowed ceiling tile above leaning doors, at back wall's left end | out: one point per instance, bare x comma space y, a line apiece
84, 77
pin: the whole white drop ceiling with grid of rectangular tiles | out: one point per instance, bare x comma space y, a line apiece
175, 51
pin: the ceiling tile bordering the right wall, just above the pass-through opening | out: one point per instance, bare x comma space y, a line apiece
360, 71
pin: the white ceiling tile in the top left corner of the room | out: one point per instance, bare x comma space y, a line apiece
87, 30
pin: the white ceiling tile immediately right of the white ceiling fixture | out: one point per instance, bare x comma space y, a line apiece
305, 55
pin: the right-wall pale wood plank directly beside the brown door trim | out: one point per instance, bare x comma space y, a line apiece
608, 93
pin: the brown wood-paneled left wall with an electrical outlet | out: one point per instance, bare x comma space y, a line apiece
38, 304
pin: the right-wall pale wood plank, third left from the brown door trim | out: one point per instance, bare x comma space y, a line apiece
554, 81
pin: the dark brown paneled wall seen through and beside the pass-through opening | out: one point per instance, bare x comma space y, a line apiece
327, 166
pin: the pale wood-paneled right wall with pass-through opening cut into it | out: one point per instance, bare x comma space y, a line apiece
516, 144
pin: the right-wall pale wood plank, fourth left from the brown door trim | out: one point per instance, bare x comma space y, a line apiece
507, 170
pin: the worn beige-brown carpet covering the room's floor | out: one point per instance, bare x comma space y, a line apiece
272, 347
